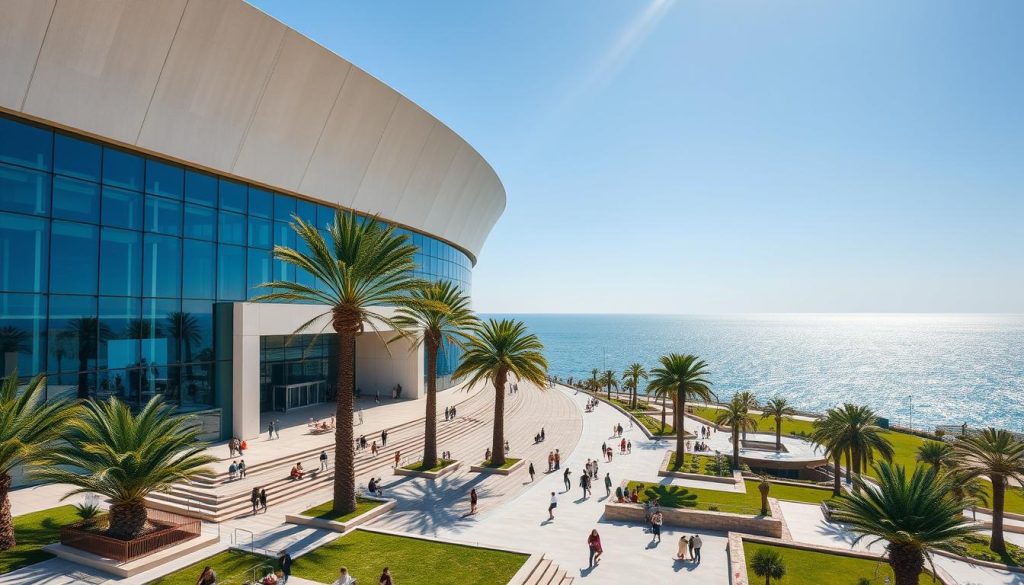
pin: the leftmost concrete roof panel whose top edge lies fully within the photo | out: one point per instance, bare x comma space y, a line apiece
304, 89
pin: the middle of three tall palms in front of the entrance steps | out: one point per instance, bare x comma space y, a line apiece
442, 312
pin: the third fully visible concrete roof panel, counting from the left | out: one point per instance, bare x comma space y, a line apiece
395, 160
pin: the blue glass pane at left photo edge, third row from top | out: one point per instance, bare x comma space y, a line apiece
24, 258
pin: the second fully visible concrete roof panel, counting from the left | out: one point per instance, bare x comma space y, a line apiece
351, 138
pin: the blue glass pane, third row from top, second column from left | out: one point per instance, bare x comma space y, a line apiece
74, 258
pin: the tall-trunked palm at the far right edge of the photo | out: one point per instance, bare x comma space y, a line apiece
1000, 456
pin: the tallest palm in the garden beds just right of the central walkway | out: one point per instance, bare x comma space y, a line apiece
681, 378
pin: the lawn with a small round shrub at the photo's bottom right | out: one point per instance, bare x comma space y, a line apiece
809, 568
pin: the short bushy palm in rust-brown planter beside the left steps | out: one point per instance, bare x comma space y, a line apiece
110, 451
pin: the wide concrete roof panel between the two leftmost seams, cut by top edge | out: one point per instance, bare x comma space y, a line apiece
101, 63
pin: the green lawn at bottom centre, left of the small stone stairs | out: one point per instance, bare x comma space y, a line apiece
413, 562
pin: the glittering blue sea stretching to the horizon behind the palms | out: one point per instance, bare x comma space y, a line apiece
958, 368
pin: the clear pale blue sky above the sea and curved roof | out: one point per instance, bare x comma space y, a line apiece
721, 156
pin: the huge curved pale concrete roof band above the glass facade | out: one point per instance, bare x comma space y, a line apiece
222, 86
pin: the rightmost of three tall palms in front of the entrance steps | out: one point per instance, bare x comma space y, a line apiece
497, 350
